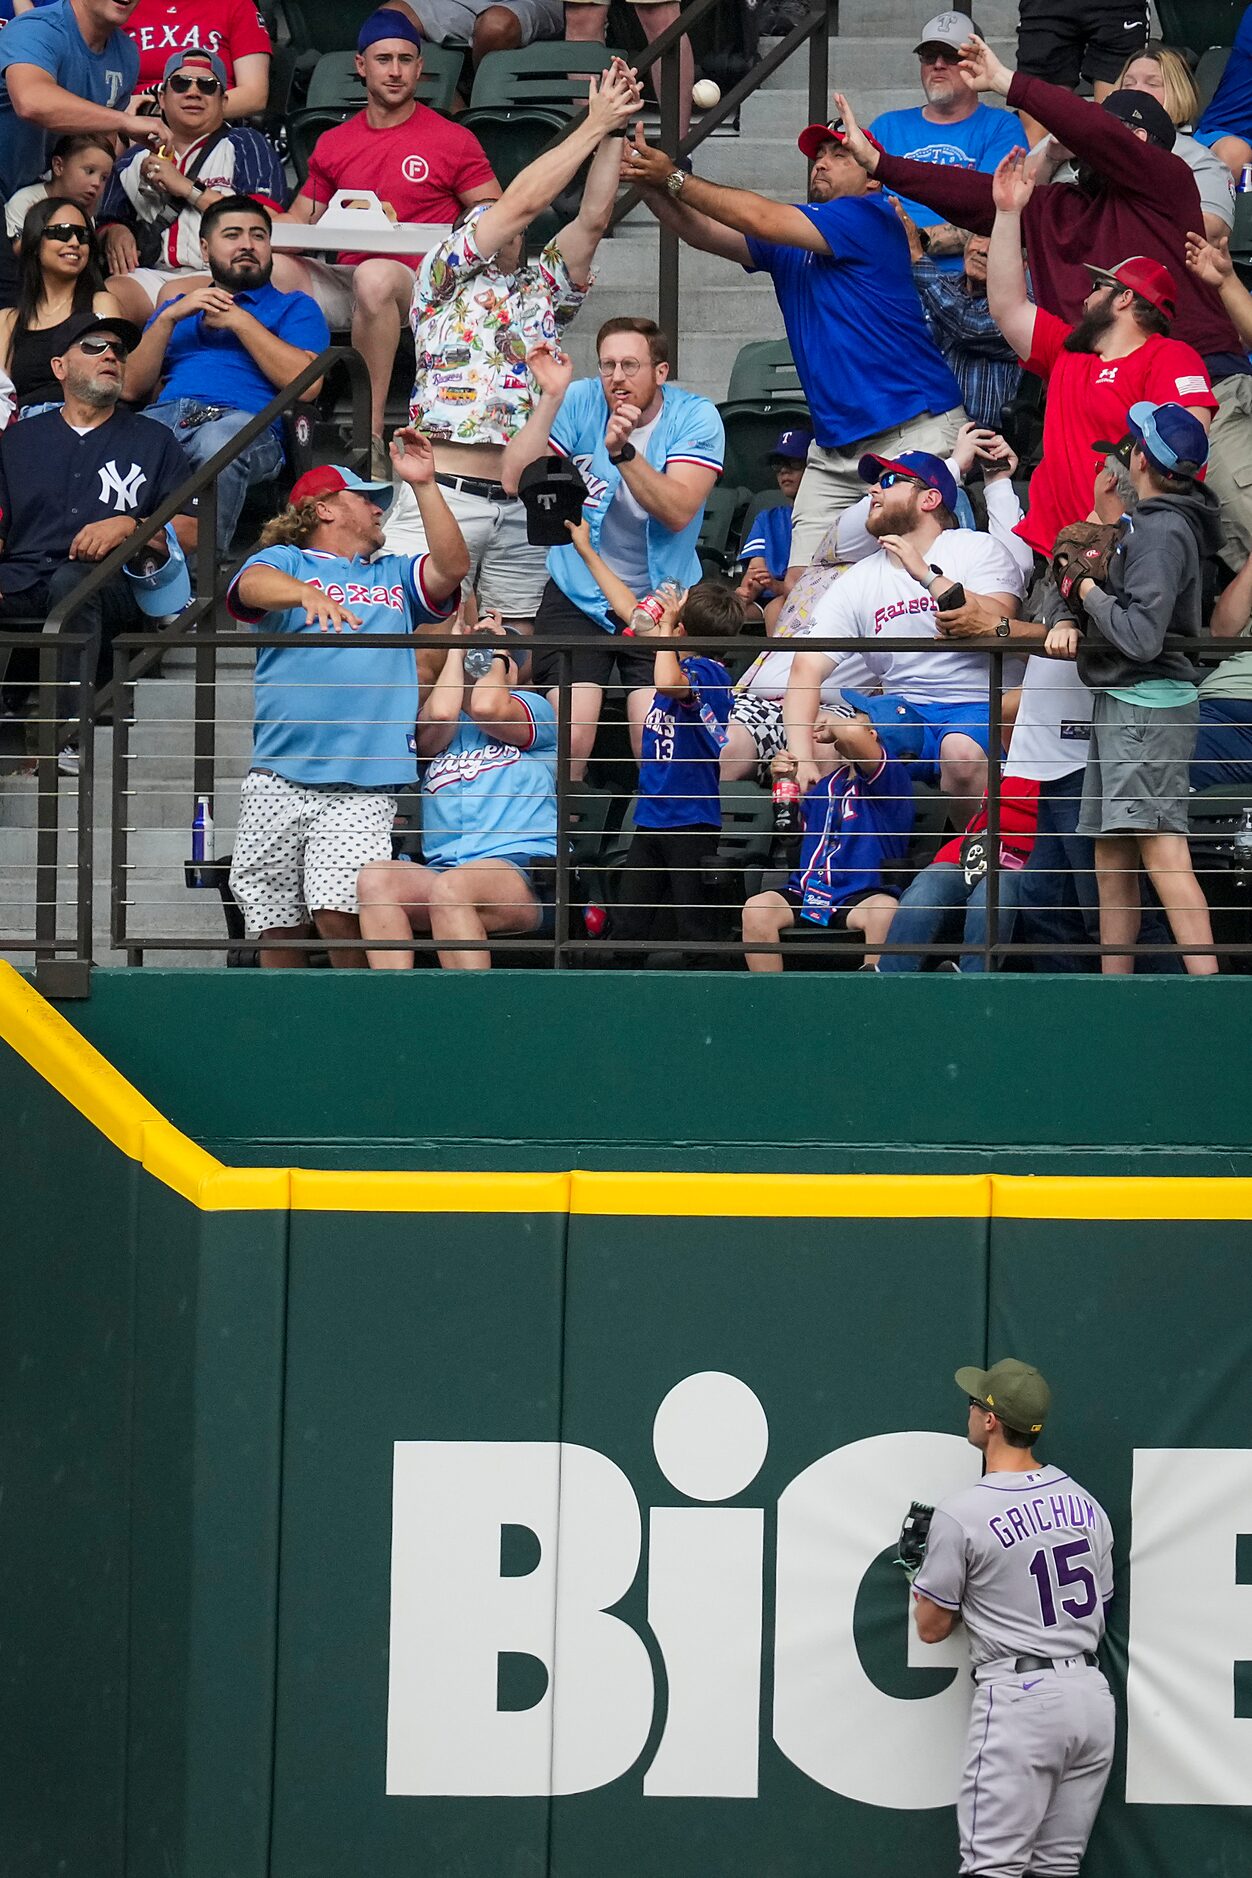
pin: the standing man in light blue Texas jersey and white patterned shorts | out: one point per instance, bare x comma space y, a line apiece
333, 733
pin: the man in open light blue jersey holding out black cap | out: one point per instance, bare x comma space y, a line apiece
649, 455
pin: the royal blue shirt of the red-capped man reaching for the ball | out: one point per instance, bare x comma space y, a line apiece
855, 322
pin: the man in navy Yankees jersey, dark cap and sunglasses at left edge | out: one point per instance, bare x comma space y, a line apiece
76, 484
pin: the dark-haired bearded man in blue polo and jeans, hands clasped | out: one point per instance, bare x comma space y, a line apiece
224, 350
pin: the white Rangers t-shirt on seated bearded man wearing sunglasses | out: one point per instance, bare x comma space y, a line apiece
879, 602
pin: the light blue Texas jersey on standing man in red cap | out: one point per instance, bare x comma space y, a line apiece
329, 711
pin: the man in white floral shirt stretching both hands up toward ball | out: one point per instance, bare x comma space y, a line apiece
478, 309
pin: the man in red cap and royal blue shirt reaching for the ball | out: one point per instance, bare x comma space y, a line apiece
872, 373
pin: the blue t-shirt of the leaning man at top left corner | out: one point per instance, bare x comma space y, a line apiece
50, 38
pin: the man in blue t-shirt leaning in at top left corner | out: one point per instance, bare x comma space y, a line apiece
63, 69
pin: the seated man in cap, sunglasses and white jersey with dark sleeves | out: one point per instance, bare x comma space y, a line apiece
151, 211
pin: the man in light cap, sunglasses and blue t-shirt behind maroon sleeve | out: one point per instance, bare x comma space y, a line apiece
953, 127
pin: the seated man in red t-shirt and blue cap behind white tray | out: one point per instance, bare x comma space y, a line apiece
421, 166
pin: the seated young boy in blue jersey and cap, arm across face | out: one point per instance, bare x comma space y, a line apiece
857, 824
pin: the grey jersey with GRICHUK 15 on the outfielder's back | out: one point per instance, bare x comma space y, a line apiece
1028, 1560
